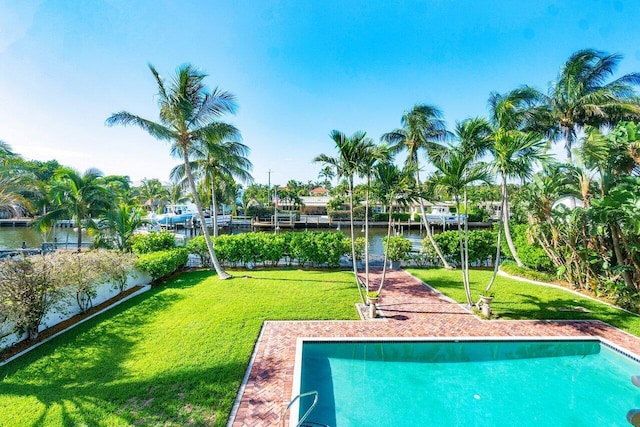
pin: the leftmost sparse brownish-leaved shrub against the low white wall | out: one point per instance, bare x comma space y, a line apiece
29, 288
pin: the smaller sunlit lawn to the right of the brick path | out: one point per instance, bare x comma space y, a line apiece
520, 300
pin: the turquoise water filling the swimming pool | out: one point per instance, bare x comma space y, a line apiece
468, 383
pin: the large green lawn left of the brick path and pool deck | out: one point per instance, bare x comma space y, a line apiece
173, 356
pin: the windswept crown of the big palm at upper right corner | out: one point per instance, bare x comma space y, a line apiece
582, 96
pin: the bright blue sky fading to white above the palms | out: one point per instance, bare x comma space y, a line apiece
298, 68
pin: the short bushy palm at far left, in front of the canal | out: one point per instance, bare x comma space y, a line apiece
81, 196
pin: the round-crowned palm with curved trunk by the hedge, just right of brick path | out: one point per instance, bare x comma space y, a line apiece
422, 128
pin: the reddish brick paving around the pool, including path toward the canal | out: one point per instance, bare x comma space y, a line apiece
411, 310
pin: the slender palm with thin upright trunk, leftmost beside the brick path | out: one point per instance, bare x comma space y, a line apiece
351, 151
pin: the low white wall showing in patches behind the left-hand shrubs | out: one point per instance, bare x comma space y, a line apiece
105, 291
